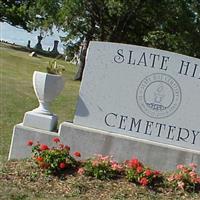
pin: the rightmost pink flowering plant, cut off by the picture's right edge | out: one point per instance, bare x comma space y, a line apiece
185, 178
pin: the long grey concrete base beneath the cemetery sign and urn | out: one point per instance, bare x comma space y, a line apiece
91, 141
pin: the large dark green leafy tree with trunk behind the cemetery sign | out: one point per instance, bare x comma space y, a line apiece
168, 24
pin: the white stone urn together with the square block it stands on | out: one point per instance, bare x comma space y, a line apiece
47, 87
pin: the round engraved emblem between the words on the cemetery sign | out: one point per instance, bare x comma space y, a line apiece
158, 95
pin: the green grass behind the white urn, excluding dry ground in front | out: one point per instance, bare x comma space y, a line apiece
17, 95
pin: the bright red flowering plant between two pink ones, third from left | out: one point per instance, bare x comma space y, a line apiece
138, 173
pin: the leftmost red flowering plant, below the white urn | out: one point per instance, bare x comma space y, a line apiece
53, 160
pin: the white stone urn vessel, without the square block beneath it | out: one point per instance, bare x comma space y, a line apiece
47, 87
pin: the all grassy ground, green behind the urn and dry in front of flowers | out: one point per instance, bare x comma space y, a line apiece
20, 180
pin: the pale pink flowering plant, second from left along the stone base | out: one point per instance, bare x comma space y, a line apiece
101, 167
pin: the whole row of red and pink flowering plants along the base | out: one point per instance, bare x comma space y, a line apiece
58, 159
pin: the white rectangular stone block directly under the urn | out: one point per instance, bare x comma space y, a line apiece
40, 121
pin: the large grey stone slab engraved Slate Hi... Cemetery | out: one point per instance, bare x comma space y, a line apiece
141, 92
